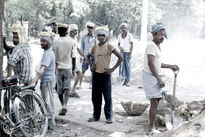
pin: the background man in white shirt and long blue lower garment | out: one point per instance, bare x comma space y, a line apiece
125, 44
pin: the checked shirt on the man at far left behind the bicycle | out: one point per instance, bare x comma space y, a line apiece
22, 61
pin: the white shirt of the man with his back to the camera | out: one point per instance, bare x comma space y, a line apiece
64, 52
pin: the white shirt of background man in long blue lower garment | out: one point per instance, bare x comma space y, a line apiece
125, 42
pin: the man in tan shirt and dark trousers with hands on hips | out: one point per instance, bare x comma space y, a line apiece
101, 74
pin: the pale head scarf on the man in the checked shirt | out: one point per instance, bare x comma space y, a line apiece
21, 31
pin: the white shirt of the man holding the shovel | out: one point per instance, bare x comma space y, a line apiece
153, 49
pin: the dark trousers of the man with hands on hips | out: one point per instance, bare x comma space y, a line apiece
101, 85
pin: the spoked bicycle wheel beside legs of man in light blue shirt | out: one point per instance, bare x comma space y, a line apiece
31, 113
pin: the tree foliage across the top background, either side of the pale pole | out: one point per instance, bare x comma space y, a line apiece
108, 12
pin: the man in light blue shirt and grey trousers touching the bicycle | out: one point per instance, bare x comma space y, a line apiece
47, 76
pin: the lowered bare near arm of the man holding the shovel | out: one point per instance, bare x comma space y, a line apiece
151, 65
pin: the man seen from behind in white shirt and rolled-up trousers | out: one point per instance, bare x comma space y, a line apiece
65, 64
